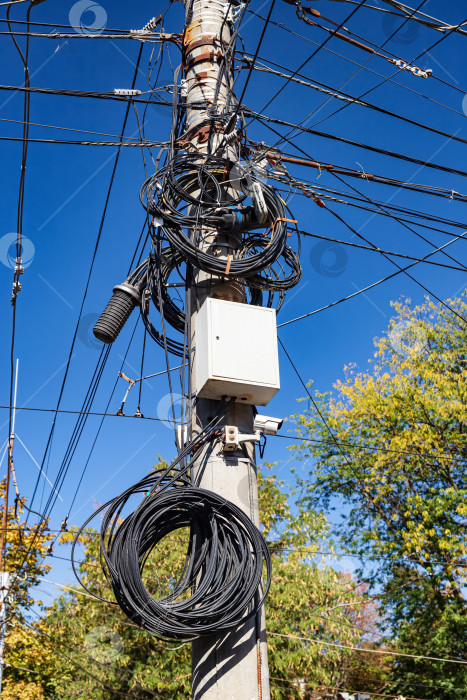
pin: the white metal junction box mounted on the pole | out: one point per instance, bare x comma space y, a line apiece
236, 352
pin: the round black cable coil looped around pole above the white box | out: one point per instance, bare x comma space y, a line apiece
169, 195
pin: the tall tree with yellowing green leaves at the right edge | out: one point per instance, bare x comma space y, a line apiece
396, 472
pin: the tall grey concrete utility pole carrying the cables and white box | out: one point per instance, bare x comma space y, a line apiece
233, 665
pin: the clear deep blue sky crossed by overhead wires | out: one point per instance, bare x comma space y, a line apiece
66, 186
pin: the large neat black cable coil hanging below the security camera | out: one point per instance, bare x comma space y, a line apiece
220, 584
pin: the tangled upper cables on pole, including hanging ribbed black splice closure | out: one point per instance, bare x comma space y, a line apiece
200, 207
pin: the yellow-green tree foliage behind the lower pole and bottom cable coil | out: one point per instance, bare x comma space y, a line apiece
99, 654
